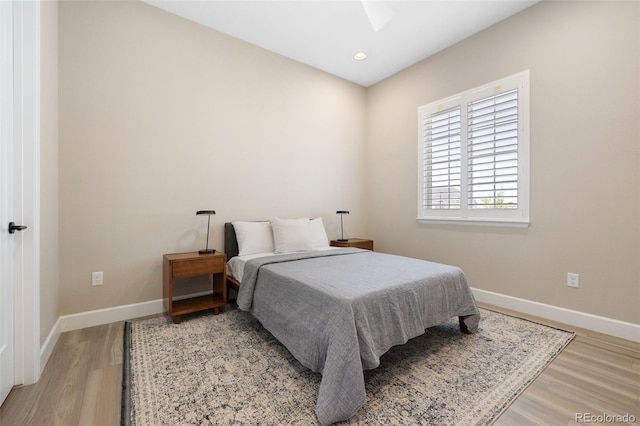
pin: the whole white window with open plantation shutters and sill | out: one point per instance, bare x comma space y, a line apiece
473, 161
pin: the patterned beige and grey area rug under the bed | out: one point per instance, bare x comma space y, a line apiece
227, 369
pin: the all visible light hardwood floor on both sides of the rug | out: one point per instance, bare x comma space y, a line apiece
595, 375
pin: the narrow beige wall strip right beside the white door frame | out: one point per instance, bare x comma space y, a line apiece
49, 259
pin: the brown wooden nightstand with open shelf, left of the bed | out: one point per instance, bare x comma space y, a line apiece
193, 264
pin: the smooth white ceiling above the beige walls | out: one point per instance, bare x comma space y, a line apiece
325, 34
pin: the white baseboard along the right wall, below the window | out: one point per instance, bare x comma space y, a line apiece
612, 327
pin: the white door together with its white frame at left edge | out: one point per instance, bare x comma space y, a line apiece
19, 192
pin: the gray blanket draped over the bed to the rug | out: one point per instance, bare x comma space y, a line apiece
338, 311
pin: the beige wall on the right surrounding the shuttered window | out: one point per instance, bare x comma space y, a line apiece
585, 158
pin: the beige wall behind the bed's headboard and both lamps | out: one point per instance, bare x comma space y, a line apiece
160, 117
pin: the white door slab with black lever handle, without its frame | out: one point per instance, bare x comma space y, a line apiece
8, 244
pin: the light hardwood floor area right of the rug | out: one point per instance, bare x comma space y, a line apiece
595, 375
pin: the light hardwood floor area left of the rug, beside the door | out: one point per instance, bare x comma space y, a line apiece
80, 385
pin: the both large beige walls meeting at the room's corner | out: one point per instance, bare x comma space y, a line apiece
160, 117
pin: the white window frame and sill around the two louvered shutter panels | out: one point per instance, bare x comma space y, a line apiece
517, 217
